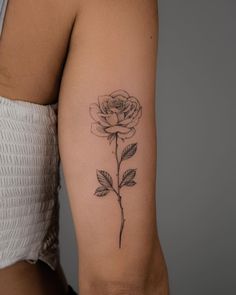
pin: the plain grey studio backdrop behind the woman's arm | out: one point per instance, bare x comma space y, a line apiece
196, 116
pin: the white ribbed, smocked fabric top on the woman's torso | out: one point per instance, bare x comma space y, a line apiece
29, 182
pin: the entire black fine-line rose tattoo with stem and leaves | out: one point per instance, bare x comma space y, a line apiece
116, 116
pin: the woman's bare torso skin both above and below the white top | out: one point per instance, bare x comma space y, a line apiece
33, 50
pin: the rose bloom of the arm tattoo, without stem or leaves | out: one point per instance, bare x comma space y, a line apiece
115, 115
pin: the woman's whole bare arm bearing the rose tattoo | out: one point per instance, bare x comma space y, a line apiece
107, 141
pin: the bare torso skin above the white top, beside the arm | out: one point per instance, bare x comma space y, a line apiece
33, 48
